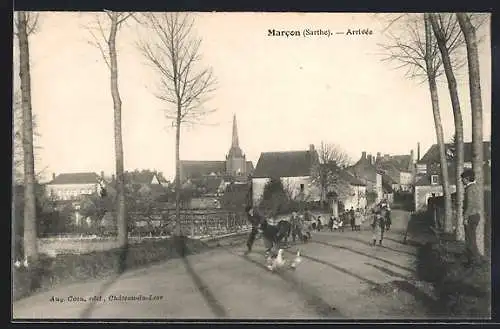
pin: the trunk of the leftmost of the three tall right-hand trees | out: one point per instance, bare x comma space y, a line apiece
431, 76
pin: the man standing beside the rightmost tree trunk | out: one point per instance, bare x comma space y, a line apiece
471, 216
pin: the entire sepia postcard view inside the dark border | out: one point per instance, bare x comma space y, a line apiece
251, 166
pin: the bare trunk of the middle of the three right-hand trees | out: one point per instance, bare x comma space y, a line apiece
459, 131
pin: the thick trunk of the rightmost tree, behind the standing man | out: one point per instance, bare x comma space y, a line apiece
477, 117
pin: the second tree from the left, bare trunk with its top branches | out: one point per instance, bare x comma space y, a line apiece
105, 41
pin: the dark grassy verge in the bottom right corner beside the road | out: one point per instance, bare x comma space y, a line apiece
461, 292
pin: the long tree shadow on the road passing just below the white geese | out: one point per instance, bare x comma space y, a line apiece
321, 307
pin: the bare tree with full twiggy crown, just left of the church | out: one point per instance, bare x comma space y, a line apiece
184, 84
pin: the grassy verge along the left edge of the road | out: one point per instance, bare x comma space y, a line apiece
67, 268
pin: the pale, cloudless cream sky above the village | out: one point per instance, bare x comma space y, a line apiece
286, 93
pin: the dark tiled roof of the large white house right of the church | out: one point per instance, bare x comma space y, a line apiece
284, 164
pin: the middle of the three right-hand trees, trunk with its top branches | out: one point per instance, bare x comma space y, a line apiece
445, 30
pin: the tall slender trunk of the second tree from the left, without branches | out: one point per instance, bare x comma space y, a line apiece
117, 106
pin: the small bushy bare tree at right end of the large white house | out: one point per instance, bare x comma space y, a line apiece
327, 171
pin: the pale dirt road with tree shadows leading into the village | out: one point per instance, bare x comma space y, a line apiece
341, 277
